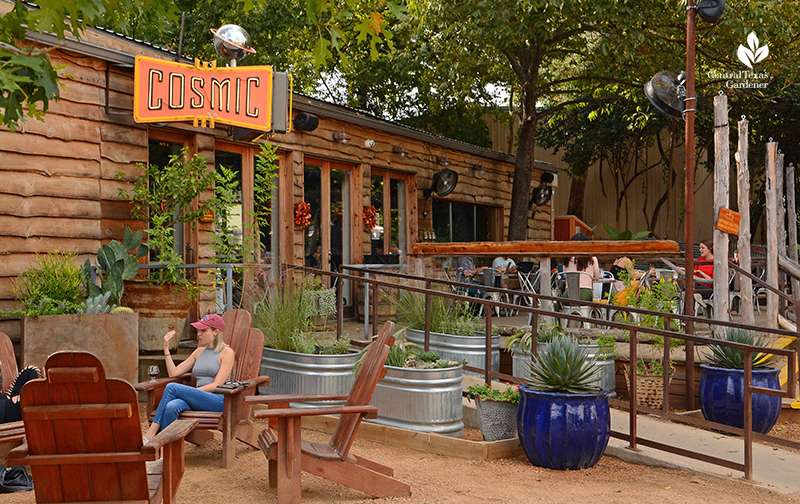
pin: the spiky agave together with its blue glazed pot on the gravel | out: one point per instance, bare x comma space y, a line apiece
563, 421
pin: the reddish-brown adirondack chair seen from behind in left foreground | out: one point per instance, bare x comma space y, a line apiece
84, 438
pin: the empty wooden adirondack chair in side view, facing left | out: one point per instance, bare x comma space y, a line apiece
288, 453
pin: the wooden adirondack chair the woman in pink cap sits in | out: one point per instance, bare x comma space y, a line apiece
234, 421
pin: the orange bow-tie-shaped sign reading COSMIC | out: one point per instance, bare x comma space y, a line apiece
168, 91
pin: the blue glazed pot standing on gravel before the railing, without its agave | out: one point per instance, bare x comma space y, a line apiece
563, 431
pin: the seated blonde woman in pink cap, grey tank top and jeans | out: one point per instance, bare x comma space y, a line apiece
211, 364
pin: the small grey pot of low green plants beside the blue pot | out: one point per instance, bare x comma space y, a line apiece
497, 410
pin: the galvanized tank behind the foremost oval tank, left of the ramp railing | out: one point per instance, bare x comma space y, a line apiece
457, 348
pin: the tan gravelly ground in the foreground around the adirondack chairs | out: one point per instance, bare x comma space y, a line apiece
440, 479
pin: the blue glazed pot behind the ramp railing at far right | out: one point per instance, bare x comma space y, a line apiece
722, 397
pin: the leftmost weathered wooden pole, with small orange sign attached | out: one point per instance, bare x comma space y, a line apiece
721, 199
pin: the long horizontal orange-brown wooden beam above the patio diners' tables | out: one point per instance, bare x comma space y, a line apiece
599, 248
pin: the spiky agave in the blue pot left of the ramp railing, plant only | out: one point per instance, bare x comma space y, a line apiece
565, 368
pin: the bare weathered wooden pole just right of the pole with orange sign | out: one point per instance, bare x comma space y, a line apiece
743, 179
